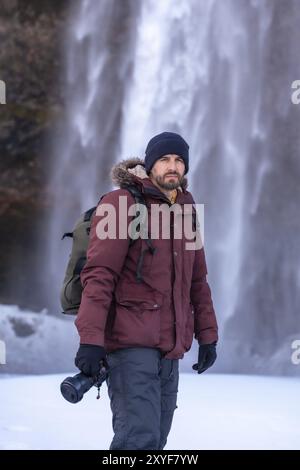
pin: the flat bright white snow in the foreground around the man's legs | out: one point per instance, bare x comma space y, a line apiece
214, 412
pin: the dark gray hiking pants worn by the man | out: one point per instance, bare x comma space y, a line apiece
142, 387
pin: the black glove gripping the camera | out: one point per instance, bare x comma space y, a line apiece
88, 359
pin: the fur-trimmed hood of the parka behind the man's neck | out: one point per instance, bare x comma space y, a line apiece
131, 171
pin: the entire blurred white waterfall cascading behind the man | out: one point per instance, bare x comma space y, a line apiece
219, 73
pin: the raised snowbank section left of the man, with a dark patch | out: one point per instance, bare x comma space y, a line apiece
37, 343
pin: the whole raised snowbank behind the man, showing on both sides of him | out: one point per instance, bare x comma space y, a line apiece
40, 343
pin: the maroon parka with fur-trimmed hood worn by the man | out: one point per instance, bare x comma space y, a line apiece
173, 300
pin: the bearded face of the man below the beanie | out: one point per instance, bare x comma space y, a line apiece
168, 171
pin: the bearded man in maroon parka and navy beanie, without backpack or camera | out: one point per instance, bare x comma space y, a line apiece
141, 304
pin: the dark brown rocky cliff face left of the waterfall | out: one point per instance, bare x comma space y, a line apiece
30, 66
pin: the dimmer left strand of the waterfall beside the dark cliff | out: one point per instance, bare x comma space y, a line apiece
98, 49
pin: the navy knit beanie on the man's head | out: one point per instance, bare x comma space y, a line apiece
164, 144
